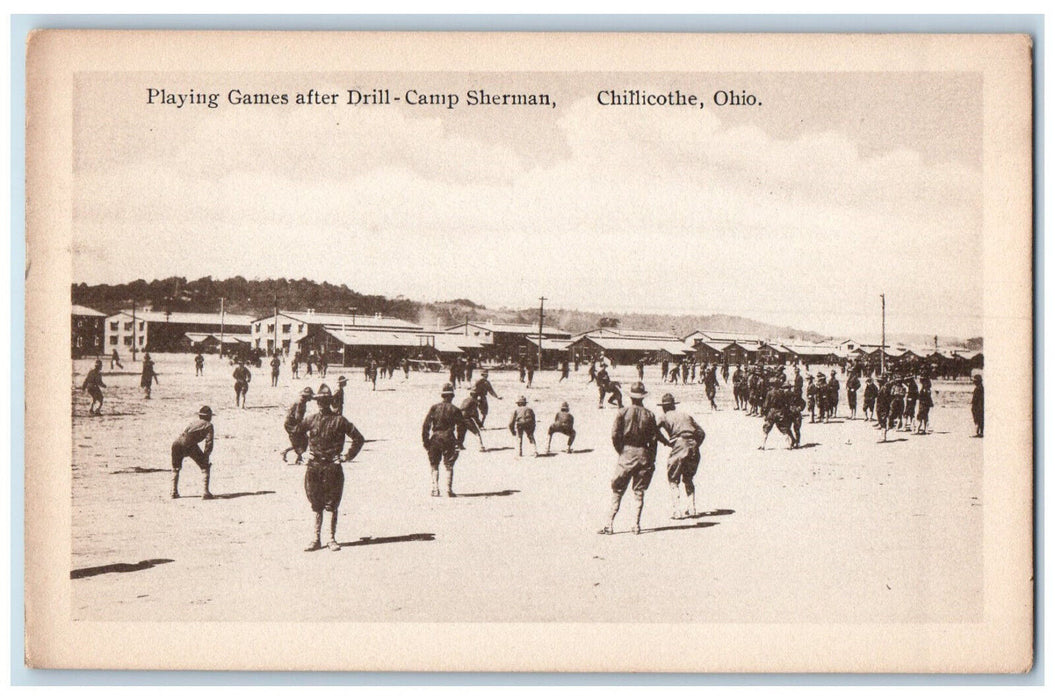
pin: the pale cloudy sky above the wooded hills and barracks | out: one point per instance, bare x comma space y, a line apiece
800, 211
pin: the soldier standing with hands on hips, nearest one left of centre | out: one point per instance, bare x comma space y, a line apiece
324, 476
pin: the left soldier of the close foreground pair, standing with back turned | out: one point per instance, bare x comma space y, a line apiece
635, 438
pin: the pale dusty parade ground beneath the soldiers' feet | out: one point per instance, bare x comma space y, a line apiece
847, 530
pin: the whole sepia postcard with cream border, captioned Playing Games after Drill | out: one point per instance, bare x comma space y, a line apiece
485, 353
